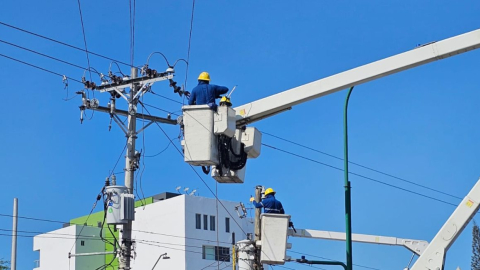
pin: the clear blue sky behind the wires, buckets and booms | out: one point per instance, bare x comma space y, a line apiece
420, 125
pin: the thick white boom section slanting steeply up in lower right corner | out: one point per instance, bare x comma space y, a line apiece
433, 257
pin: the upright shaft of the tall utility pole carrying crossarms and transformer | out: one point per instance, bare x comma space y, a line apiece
130, 167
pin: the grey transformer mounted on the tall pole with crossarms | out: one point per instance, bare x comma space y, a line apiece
120, 205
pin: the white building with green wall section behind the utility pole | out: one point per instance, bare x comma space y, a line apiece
195, 232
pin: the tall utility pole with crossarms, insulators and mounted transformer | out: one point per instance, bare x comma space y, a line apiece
117, 86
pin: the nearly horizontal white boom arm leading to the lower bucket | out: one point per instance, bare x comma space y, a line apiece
416, 246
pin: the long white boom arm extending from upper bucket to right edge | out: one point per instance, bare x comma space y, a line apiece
280, 102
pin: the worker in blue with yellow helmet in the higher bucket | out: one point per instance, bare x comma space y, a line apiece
206, 93
